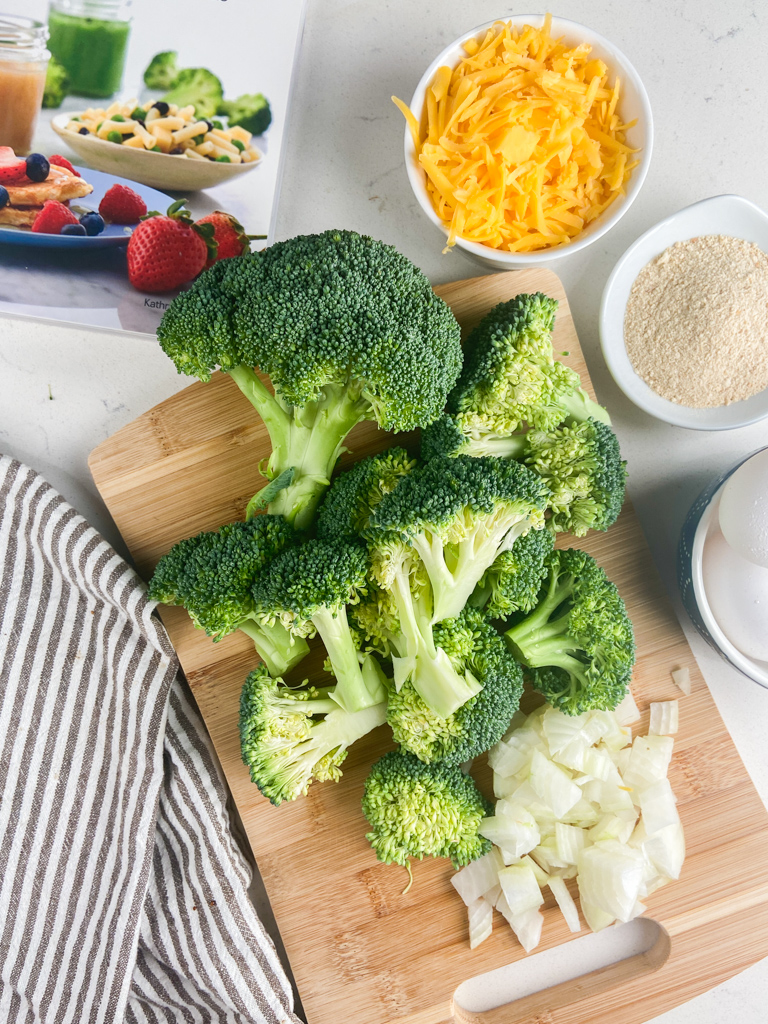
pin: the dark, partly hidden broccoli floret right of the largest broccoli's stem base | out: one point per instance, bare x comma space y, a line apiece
355, 496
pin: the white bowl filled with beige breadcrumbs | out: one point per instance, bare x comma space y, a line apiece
685, 317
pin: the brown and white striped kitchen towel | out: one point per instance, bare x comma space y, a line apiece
123, 895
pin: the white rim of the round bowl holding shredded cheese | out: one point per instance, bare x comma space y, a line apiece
636, 181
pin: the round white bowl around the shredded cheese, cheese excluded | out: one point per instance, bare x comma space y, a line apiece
634, 104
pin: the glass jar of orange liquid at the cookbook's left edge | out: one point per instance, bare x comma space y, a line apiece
24, 62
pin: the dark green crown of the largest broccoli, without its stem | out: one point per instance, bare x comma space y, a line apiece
320, 310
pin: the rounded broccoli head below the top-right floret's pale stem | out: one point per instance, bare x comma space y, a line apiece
583, 467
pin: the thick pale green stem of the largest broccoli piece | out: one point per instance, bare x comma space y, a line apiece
308, 440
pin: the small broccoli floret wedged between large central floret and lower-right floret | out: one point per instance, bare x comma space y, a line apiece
514, 582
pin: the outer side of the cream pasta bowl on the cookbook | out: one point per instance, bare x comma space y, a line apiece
160, 170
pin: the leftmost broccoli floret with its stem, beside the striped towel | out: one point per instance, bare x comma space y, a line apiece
211, 576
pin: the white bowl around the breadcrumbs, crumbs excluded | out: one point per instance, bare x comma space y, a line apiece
719, 216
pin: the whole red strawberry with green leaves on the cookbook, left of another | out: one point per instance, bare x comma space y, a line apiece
167, 251
